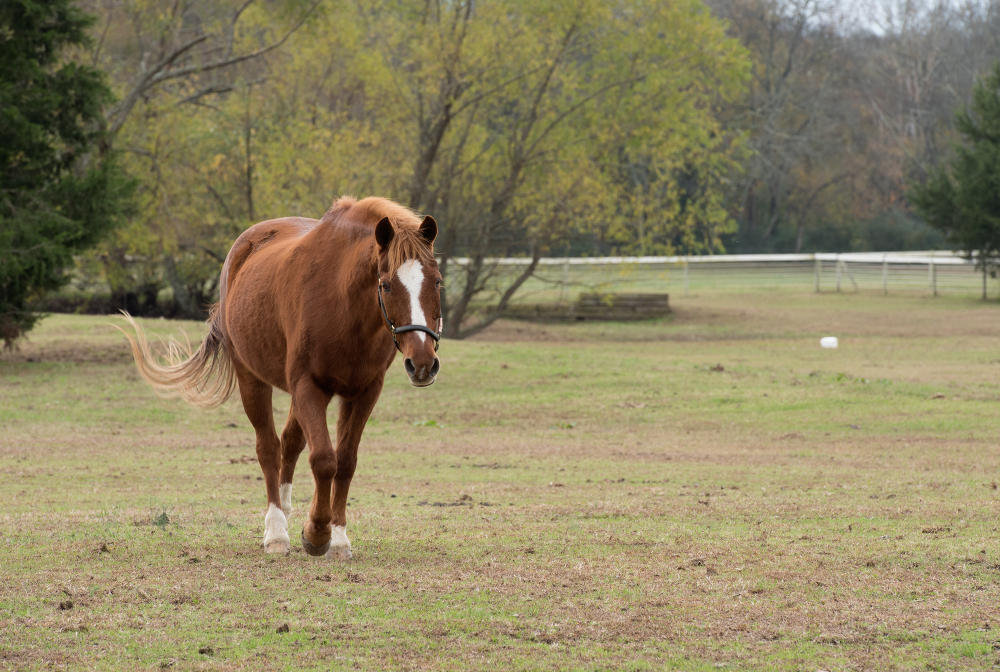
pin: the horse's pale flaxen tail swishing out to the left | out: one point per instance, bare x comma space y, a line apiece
204, 379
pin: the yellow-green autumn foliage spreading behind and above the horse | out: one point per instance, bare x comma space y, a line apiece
508, 121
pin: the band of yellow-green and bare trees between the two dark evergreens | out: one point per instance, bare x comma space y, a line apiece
526, 127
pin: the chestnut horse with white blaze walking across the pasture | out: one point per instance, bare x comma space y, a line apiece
317, 309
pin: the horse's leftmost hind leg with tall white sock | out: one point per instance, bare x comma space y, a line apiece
256, 395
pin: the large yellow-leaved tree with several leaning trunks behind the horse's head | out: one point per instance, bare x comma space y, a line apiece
519, 115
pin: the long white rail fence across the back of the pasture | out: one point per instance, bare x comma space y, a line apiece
925, 272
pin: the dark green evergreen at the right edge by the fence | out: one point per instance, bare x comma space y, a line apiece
964, 202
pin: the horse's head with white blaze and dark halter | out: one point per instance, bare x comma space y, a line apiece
409, 289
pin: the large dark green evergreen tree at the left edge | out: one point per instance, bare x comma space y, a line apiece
57, 196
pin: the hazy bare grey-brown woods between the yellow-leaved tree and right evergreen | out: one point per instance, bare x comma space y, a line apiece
844, 111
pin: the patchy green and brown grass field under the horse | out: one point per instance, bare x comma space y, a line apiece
711, 491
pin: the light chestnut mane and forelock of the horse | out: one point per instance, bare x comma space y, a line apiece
408, 243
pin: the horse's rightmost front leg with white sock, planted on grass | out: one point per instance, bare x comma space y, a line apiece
354, 414
